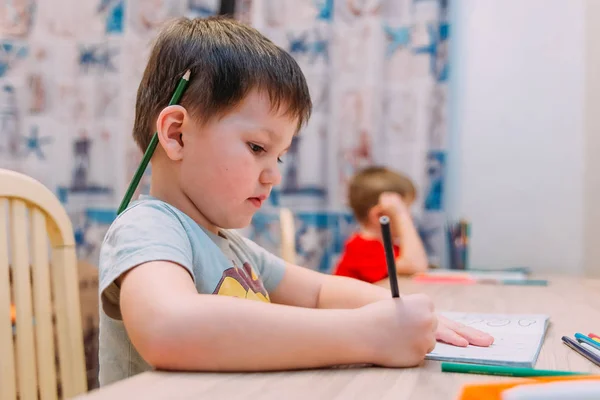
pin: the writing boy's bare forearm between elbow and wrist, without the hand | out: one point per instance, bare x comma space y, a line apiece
218, 333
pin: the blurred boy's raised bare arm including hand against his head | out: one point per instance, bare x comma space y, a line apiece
413, 257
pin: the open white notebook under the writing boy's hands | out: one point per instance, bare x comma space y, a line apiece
518, 339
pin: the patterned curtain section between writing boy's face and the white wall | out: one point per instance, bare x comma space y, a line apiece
377, 71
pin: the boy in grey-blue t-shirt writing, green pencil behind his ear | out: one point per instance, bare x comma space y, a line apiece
175, 280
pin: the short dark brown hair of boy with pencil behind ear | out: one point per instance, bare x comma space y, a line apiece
227, 59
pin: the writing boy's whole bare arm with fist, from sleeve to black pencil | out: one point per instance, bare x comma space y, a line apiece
174, 327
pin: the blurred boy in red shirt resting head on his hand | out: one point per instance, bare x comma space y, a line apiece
373, 192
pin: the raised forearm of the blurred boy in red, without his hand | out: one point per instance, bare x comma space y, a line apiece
413, 257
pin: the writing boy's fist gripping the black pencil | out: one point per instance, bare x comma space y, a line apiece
402, 330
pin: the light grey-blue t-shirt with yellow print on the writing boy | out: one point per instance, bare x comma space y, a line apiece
152, 230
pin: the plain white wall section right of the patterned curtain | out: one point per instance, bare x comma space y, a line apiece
517, 134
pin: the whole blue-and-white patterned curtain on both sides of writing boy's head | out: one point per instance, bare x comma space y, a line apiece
377, 71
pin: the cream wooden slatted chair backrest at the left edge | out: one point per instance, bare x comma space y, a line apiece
38, 274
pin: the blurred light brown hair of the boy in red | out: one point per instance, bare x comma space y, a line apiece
368, 184
